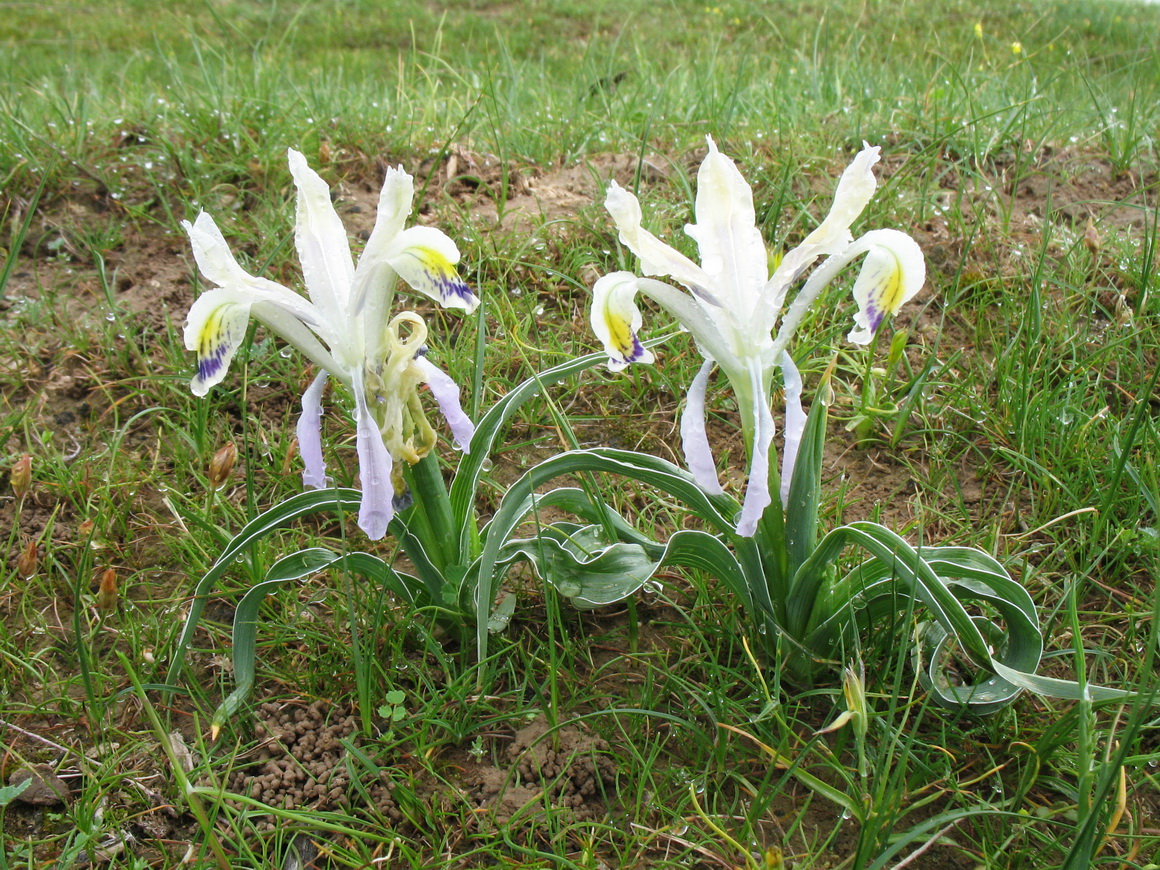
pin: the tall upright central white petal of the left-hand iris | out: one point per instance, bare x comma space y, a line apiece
323, 246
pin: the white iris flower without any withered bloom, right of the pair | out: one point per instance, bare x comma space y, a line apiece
733, 304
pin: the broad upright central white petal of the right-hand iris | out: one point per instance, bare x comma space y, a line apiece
733, 251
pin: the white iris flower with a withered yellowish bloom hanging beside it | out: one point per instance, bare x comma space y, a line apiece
345, 329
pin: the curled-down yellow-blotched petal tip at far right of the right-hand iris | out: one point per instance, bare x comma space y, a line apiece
893, 273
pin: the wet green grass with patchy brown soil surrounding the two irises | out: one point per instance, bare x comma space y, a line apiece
1025, 425
